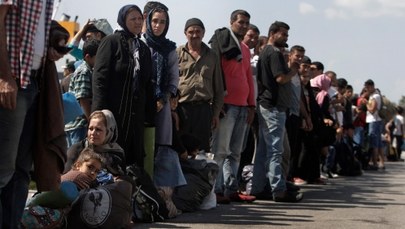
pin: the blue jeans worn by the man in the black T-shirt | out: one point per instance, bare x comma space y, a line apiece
269, 155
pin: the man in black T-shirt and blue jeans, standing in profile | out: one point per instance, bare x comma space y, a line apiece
274, 85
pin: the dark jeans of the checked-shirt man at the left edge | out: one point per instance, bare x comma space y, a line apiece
16, 138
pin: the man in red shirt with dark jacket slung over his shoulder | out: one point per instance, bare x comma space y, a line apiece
239, 104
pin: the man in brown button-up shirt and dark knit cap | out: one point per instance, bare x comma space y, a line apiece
201, 85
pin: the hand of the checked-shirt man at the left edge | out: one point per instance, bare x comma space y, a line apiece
8, 93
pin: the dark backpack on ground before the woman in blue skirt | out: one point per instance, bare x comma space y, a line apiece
148, 206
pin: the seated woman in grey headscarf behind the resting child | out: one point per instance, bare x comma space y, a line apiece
102, 135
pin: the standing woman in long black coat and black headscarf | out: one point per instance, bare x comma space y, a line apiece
121, 76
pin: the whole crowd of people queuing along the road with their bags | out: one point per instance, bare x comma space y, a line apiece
242, 118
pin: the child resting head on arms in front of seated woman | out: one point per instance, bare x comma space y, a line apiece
84, 171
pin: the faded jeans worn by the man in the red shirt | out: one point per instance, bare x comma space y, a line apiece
227, 147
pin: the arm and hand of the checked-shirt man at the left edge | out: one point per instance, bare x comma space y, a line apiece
8, 85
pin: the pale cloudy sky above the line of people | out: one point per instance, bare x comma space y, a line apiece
358, 39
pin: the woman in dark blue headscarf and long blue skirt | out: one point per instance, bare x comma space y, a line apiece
167, 171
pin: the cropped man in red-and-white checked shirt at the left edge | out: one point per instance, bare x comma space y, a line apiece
24, 32
